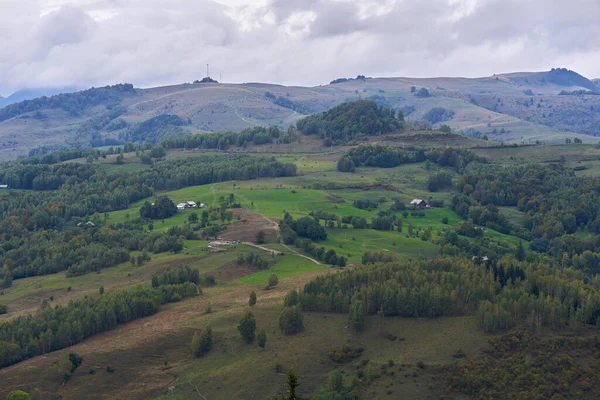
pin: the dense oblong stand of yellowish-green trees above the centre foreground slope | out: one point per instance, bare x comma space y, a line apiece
445, 286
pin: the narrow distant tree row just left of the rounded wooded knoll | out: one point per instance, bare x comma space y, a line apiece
223, 140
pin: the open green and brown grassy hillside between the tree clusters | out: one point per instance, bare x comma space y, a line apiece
448, 357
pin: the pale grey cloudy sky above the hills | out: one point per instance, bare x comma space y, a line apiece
58, 43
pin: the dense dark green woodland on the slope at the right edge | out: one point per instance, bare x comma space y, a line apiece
556, 205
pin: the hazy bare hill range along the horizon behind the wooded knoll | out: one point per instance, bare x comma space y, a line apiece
513, 107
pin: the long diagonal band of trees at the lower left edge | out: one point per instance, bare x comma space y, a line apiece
54, 328
